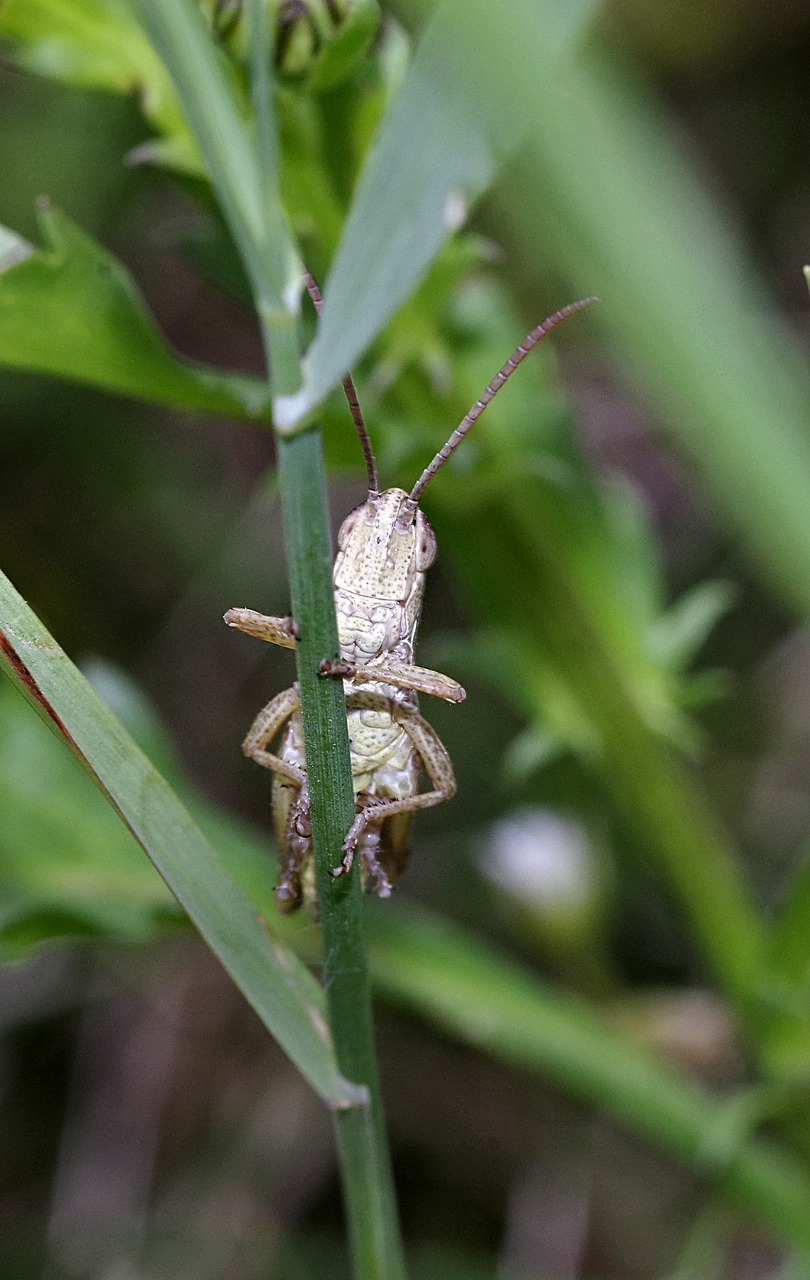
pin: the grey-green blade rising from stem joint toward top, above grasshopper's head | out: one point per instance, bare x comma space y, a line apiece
438, 149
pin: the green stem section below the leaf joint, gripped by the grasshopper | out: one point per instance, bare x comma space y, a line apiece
365, 1162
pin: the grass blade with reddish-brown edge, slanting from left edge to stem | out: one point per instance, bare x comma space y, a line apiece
278, 986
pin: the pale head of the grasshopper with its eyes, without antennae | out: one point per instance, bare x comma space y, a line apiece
383, 547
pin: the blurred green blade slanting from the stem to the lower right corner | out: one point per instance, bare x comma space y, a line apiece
437, 971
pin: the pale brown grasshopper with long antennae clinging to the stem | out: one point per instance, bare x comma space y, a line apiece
385, 550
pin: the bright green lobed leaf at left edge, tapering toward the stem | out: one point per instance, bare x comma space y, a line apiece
72, 310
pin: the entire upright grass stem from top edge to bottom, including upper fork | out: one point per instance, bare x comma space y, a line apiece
276, 281
